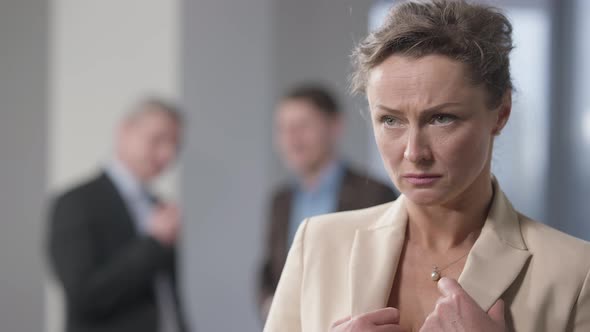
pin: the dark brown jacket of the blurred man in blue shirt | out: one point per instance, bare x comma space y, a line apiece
357, 192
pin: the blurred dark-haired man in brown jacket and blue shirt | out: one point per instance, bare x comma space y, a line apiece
308, 127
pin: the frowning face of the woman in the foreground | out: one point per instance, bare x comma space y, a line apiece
433, 128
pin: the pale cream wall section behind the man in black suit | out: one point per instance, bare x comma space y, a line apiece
105, 55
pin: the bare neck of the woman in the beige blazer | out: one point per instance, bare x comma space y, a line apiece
453, 224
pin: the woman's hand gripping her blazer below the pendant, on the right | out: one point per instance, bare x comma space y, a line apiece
456, 311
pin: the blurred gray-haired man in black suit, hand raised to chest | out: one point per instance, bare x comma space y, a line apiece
112, 242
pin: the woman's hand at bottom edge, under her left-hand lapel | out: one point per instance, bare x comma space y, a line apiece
382, 320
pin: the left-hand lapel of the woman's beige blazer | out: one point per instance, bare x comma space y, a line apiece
374, 258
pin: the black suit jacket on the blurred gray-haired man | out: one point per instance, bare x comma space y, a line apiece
106, 268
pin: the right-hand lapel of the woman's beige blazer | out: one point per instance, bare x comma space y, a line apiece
497, 256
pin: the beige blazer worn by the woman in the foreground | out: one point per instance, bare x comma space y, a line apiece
344, 264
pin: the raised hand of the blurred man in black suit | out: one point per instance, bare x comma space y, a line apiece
164, 224
